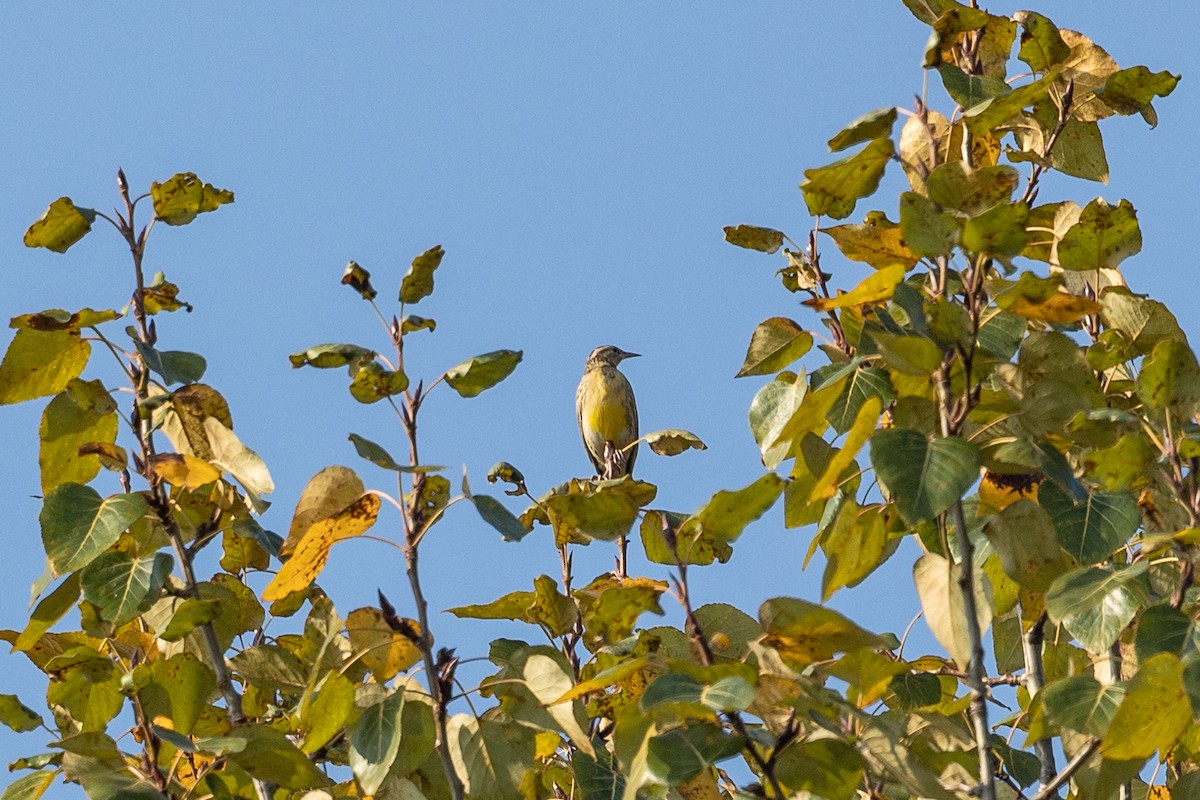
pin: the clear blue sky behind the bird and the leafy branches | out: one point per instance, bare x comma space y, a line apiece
578, 164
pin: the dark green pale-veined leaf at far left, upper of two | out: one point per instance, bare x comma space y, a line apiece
79, 526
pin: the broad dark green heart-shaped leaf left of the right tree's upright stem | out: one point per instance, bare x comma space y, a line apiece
923, 478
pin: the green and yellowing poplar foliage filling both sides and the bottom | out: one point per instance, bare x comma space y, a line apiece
993, 389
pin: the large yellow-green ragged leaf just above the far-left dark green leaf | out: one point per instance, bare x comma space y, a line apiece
82, 414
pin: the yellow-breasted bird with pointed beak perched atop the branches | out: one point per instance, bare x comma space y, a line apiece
608, 413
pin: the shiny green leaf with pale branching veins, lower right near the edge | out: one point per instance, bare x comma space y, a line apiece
1097, 605
